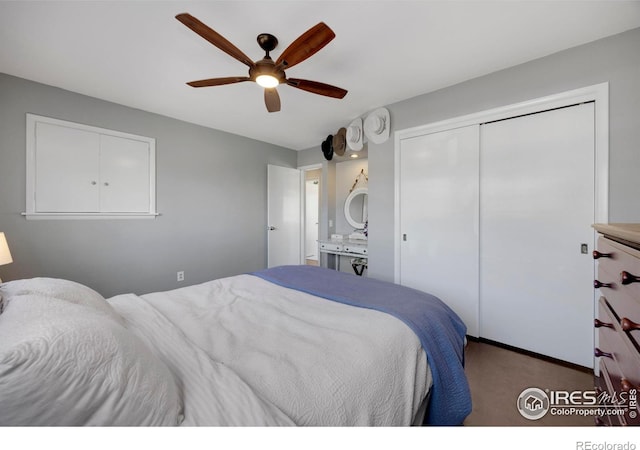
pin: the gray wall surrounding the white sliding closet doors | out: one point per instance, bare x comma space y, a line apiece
615, 60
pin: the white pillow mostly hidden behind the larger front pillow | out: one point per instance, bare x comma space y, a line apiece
61, 289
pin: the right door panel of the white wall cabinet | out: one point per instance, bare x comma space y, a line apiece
124, 175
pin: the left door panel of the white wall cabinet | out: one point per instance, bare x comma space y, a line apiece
66, 169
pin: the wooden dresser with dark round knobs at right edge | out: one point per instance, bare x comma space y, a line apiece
618, 322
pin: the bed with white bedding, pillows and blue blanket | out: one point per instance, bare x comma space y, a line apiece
287, 346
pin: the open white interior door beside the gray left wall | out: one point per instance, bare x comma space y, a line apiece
284, 218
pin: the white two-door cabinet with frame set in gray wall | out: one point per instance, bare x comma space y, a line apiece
78, 171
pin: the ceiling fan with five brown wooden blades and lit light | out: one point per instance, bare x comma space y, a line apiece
266, 72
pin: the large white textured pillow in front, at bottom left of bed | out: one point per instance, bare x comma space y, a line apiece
67, 364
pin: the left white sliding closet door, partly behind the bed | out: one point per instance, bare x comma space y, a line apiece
439, 218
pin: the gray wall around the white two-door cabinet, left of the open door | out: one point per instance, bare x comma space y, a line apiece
211, 194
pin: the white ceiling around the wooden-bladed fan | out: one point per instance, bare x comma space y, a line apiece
136, 53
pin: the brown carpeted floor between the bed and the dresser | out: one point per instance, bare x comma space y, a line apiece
497, 376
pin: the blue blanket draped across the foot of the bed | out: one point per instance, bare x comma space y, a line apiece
440, 330
